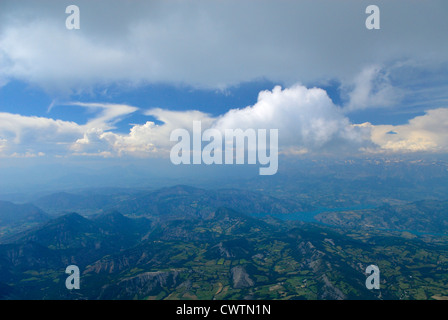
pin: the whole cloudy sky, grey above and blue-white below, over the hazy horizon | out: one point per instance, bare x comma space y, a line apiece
134, 71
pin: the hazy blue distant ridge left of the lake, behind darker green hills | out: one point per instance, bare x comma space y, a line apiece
167, 202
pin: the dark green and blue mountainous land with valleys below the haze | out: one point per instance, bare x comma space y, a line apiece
190, 243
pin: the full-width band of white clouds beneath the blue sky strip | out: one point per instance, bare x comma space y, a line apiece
306, 118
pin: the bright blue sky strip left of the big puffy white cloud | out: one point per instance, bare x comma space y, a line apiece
30, 100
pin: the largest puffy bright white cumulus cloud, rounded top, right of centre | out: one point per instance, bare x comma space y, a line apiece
305, 118
